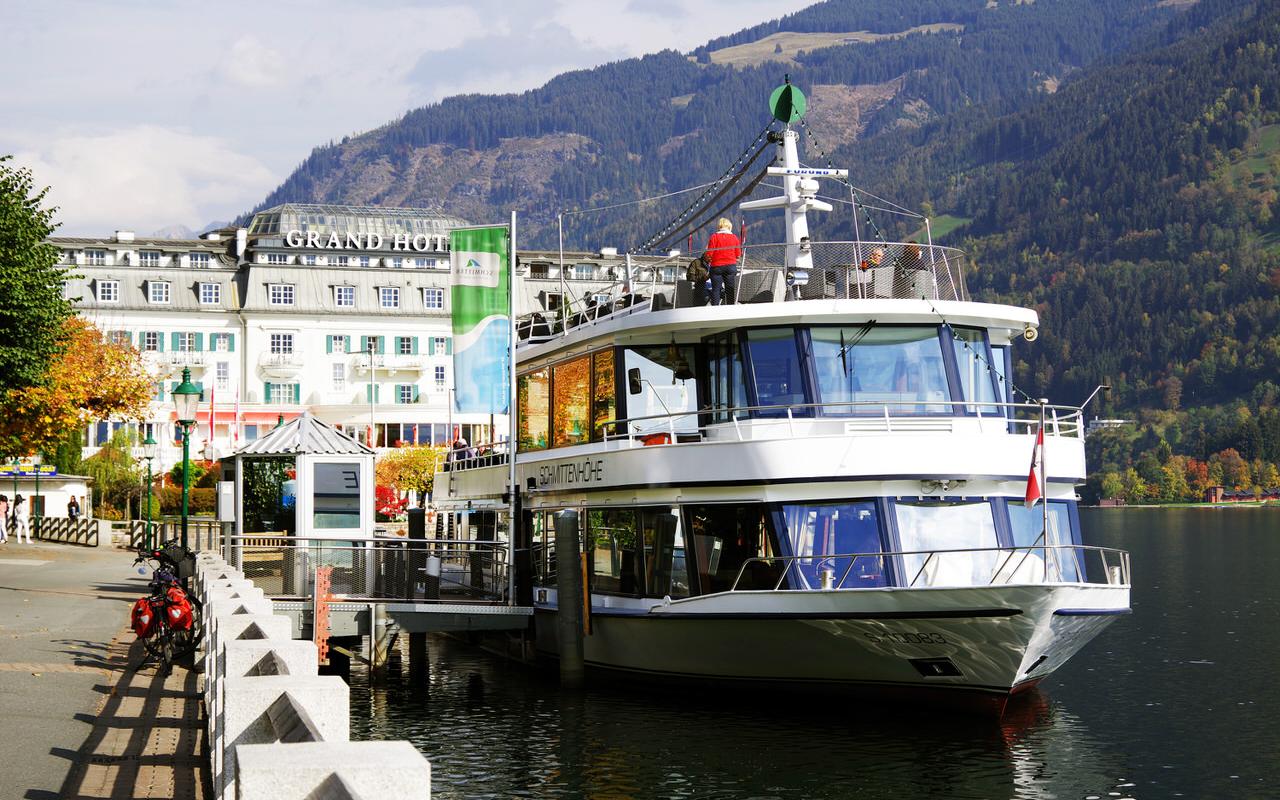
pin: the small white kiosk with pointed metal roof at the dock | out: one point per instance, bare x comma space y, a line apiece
305, 479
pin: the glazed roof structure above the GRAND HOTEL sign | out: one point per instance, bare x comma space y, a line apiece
324, 218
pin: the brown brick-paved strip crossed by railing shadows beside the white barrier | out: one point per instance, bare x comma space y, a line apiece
148, 739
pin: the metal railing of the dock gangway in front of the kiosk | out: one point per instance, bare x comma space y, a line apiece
431, 570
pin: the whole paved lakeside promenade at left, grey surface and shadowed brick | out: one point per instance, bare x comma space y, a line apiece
66, 680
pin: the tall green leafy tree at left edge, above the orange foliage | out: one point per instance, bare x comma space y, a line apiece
31, 285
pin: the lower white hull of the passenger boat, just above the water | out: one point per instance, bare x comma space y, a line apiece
990, 639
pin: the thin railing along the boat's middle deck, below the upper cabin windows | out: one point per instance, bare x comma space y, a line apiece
748, 423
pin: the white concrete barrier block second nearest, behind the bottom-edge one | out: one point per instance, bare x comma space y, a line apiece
245, 723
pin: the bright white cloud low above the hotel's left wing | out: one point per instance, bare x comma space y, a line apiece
144, 177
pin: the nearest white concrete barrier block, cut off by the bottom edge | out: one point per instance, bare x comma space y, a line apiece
382, 770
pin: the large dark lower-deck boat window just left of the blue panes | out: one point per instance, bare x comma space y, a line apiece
729, 540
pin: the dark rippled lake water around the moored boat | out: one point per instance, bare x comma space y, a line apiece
1177, 700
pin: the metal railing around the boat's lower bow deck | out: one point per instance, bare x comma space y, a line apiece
1039, 564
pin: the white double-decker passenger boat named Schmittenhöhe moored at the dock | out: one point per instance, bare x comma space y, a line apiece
822, 486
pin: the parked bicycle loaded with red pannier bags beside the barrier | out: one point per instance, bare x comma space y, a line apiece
168, 621
